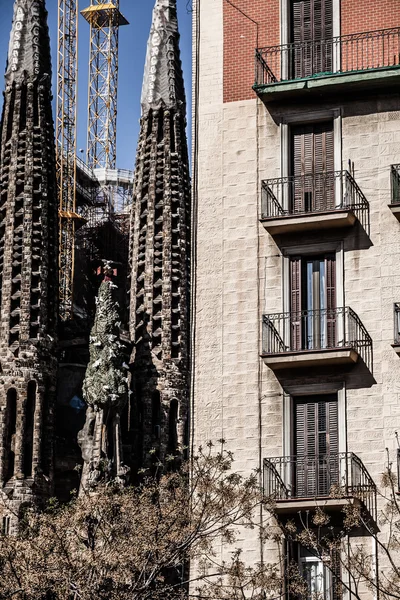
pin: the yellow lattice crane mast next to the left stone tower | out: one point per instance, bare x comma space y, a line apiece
66, 147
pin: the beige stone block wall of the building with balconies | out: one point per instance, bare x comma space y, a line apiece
239, 270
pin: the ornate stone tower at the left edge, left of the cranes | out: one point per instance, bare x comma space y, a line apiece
28, 261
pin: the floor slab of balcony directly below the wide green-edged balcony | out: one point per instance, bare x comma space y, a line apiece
309, 222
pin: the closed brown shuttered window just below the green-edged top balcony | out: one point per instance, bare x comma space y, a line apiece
312, 167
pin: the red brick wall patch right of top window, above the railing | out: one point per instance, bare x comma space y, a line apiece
368, 15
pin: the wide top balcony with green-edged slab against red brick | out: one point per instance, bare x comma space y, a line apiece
345, 63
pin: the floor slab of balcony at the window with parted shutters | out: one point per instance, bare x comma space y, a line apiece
310, 358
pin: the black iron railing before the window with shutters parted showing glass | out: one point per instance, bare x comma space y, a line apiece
316, 330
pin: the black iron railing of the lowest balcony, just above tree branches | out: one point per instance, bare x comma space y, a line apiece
340, 475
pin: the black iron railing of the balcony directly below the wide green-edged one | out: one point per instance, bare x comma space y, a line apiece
314, 193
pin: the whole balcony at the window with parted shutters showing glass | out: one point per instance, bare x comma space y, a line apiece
312, 338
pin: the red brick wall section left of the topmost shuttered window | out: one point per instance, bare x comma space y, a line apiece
240, 42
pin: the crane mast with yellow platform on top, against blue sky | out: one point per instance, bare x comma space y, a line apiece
105, 20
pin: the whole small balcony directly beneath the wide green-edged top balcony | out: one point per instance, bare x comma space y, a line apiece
311, 202
